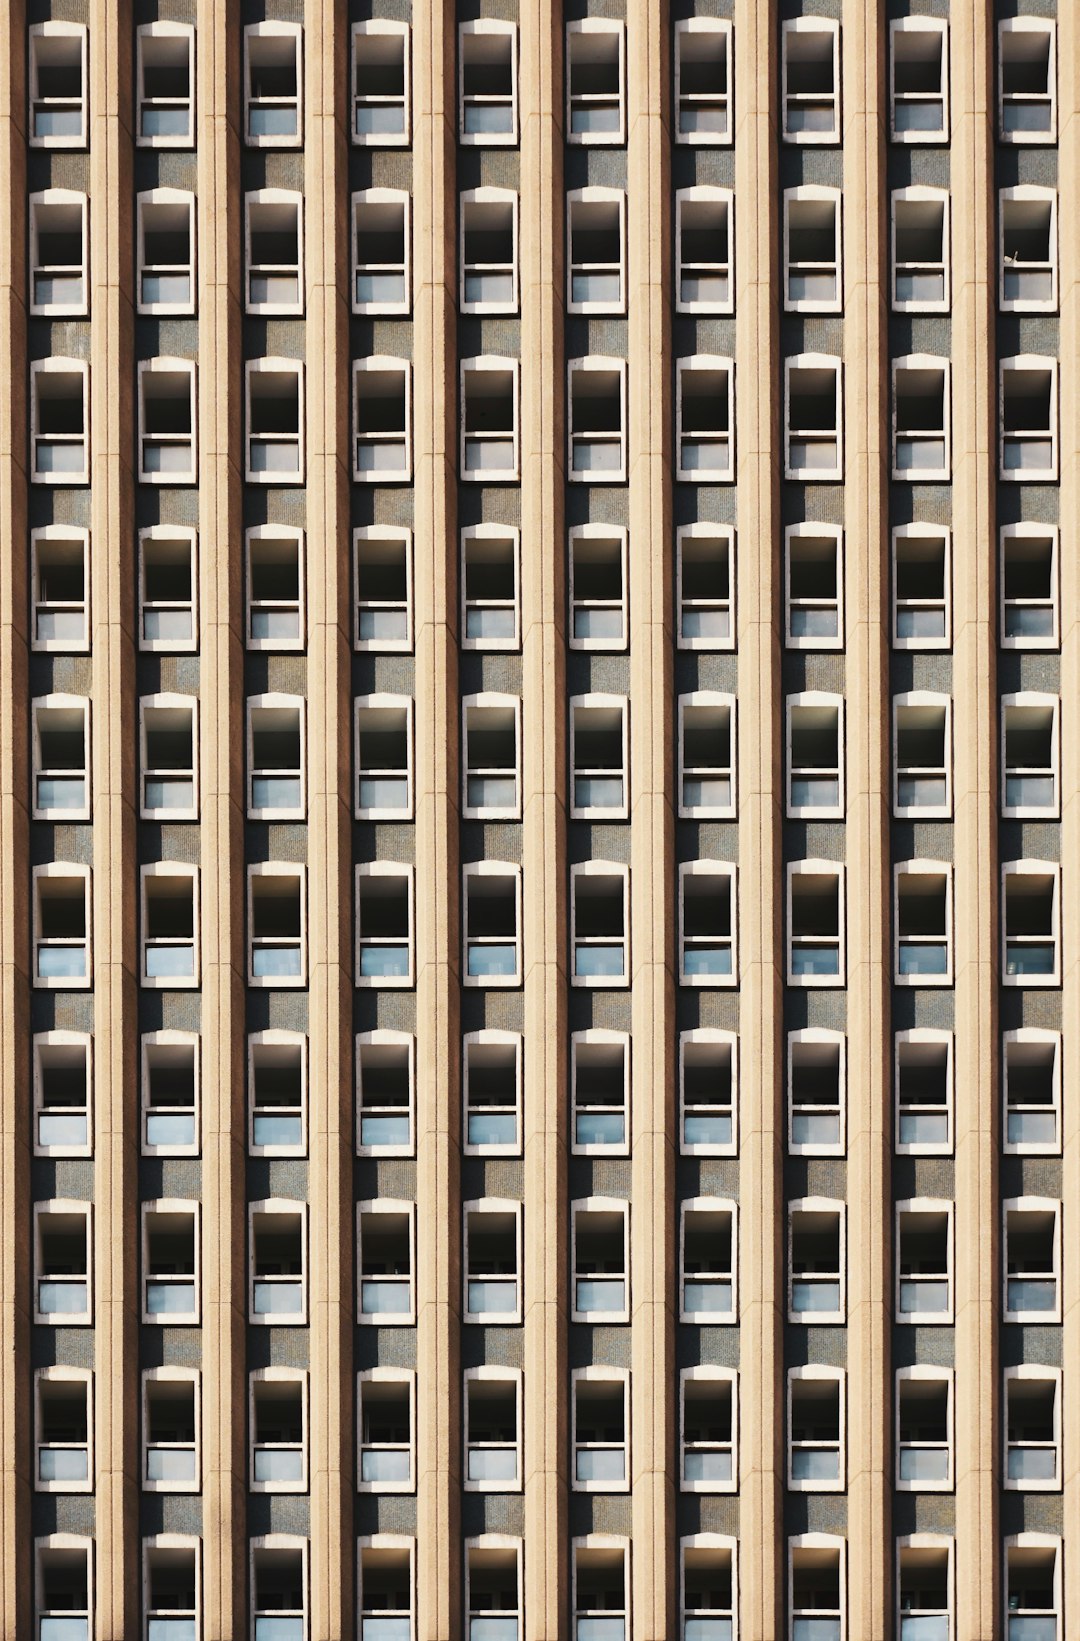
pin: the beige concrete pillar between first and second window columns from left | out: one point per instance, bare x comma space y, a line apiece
116, 880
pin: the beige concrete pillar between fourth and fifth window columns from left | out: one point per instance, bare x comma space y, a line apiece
439, 869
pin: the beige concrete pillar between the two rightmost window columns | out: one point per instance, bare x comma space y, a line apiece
976, 923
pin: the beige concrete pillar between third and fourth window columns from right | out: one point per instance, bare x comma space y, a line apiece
757, 595
